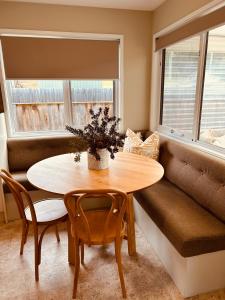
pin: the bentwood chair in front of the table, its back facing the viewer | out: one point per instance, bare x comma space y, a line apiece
97, 227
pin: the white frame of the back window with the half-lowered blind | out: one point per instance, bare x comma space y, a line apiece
119, 87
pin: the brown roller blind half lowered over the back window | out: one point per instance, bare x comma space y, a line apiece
51, 58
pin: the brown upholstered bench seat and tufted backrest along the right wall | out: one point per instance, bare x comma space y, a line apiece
188, 204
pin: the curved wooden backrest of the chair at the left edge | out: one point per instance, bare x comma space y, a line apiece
19, 193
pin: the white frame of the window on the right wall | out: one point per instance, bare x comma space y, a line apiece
156, 87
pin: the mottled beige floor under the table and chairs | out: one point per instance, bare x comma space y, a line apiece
145, 276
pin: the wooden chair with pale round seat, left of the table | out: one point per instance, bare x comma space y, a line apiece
47, 212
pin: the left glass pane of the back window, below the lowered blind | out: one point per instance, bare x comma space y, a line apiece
36, 105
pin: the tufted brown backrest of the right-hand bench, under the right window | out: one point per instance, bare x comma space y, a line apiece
198, 174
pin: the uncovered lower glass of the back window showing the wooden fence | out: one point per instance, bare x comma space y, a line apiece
48, 105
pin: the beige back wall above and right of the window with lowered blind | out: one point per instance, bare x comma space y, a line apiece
134, 25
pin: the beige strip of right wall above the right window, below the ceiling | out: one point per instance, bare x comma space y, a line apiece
173, 10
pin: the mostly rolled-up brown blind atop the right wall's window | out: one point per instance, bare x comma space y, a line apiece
196, 26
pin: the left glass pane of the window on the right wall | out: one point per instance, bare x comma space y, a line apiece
179, 91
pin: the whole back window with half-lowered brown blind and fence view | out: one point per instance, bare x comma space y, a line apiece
47, 89
